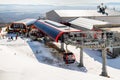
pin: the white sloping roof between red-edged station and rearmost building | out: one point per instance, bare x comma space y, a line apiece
87, 23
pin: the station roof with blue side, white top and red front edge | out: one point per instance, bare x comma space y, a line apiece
53, 29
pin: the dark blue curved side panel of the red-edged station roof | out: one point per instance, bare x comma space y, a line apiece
50, 31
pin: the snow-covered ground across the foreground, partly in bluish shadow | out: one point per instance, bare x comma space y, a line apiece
23, 59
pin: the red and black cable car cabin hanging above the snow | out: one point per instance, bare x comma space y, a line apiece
69, 58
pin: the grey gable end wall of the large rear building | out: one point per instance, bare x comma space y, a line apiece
52, 15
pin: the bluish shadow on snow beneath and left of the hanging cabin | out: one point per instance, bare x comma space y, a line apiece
43, 55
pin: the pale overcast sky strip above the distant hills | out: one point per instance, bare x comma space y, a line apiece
55, 2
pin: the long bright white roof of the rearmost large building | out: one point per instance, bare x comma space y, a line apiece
85, 13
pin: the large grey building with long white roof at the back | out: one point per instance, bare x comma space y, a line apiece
69, 15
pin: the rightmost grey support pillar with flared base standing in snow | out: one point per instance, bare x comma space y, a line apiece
104, 69
